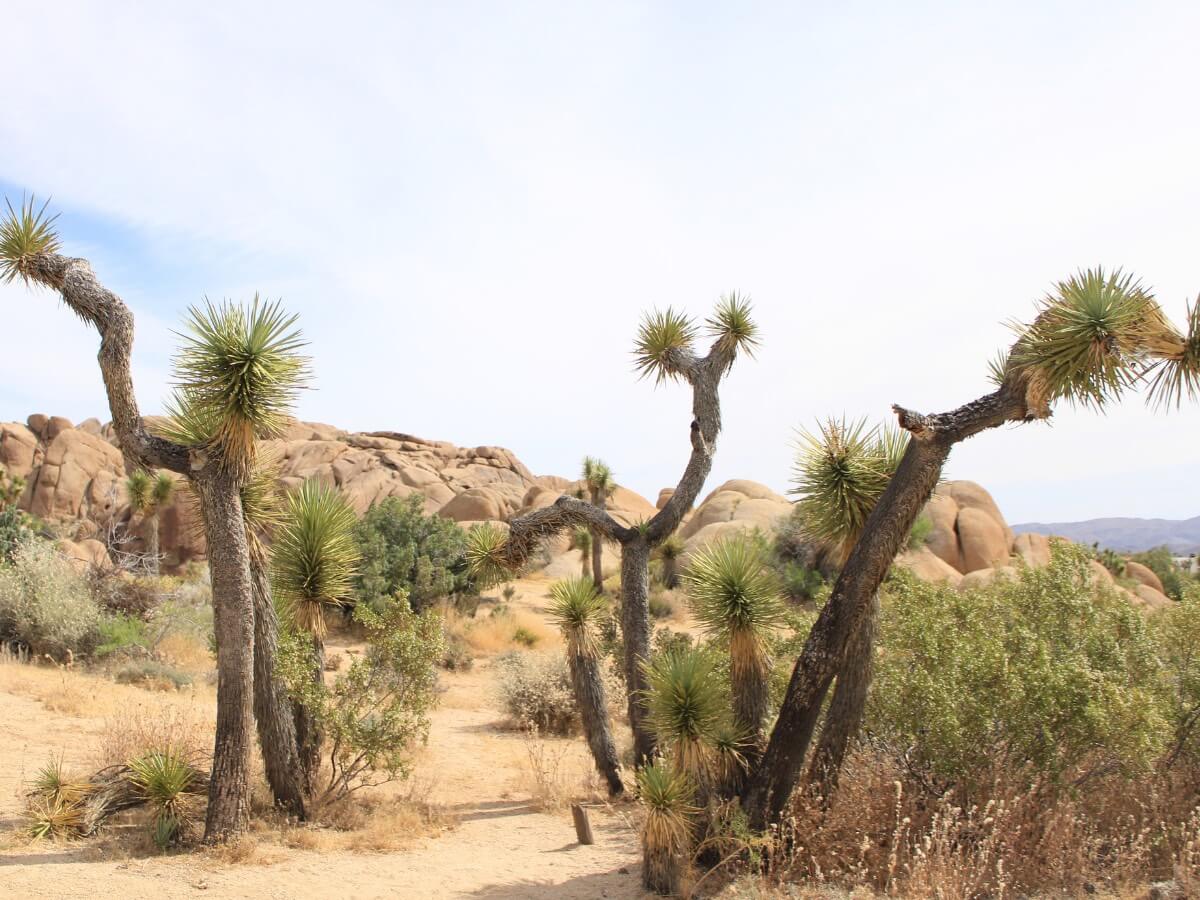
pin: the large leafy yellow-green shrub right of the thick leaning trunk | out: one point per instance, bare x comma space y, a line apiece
1043, 671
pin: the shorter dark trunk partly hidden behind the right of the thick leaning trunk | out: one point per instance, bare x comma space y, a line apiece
845, 715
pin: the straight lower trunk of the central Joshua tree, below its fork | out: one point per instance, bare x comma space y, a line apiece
635, 628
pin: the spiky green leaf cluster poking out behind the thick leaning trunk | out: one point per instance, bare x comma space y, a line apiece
839, 476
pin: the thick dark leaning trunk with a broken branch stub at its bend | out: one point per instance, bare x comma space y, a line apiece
772, 783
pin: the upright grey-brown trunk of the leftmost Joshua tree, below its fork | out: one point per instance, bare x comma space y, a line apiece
233, 622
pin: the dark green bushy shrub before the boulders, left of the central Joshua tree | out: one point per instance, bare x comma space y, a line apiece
405, 550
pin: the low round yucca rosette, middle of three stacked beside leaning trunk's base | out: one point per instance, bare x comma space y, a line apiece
687, 706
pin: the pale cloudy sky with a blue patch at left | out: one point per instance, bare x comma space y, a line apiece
471, 206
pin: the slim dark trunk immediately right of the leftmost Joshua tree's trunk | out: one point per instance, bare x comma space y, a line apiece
273, 707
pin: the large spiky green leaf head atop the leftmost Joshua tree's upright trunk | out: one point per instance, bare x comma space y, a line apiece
238, 371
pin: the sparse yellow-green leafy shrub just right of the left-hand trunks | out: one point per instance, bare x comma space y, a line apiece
379, 711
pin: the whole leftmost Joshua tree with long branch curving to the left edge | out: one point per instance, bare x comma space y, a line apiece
238, 374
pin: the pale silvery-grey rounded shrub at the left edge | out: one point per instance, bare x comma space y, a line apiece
45, 604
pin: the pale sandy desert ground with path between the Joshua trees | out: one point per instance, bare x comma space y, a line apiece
485, 813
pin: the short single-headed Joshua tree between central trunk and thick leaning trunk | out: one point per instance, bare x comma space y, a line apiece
737, 601
